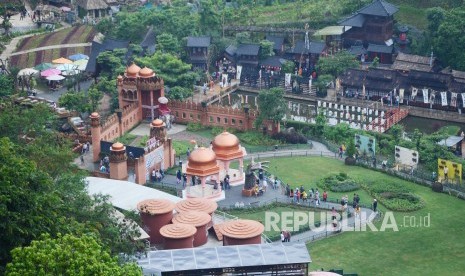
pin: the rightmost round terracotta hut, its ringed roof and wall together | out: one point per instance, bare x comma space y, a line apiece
238, 232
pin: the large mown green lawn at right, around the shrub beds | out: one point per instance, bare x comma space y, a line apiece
435, 250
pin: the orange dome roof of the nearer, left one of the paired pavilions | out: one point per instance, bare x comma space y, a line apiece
202, 162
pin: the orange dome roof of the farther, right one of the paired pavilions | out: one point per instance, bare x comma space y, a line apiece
226, 146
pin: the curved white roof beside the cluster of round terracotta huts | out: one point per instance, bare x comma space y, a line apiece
125, 194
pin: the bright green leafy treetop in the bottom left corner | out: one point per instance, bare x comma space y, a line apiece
67, 255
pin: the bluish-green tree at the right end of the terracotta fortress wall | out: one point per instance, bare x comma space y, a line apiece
271, 106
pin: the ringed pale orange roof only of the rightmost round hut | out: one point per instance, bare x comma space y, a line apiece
242, 229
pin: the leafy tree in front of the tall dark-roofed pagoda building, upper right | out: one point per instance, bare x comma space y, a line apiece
337, 64
